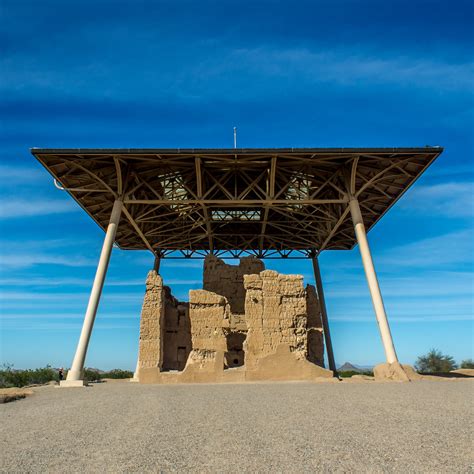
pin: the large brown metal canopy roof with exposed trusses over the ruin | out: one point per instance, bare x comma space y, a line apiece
272, 202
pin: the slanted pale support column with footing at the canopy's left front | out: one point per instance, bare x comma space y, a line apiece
74, 376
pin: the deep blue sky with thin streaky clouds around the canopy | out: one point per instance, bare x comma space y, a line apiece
182, 74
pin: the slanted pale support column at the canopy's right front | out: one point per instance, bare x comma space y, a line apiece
371, 276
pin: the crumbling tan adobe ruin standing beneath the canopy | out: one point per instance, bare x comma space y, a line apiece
247, 323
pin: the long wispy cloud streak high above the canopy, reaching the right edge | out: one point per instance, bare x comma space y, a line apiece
345, 67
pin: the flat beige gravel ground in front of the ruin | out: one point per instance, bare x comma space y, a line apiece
263, 427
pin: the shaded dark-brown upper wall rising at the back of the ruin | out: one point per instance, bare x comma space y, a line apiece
228, 280
